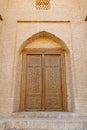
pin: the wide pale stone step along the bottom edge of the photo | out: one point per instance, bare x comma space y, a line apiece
43, 124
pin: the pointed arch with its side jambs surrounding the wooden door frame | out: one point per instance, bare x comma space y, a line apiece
20, 64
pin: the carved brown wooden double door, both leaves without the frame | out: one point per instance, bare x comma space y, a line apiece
43, 82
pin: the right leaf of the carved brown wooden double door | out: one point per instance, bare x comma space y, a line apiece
53, 92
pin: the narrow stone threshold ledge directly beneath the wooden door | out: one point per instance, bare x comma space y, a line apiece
45, 114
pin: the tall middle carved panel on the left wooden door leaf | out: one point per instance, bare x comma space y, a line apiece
33, 81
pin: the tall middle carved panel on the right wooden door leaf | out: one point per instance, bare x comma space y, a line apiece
52, 80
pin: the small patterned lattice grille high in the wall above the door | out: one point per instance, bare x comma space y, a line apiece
42, 4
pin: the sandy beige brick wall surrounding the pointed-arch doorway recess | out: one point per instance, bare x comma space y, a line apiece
17, 27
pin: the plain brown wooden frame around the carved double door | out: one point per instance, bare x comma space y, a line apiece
23, 77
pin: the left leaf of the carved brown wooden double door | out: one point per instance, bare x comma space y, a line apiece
33, 82
